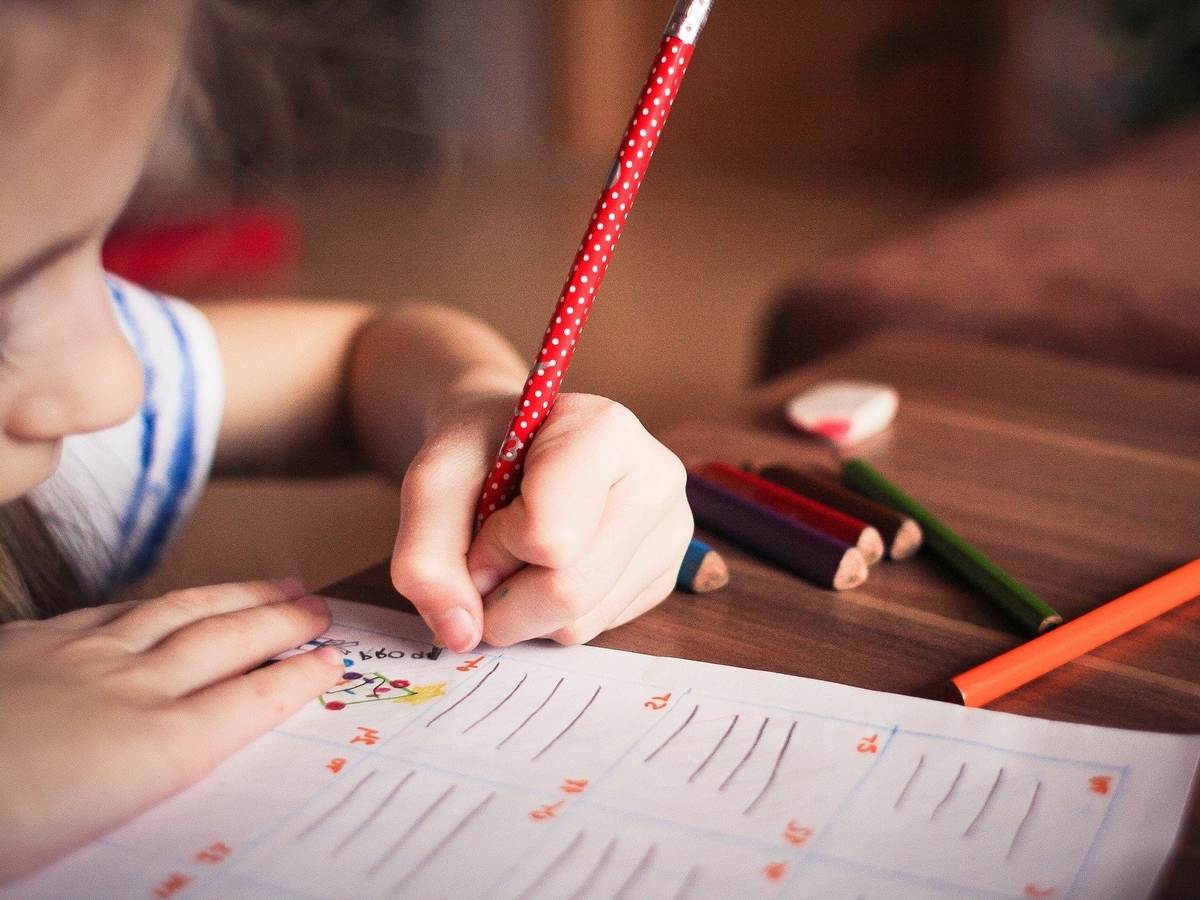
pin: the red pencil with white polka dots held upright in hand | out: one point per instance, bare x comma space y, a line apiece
592, 259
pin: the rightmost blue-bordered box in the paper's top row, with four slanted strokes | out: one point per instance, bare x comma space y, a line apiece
968, 815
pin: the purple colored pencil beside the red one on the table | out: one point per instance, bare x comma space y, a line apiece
799, 548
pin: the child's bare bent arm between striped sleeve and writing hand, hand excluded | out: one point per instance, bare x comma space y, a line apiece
314, 388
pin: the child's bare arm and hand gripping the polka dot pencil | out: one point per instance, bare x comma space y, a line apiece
602, 524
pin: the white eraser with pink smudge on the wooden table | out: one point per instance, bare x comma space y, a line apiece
844, 412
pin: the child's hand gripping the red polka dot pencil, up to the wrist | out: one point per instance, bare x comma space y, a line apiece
595, 539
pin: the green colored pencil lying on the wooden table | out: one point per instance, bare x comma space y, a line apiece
1019, 602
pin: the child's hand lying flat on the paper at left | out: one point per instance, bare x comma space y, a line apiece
111, 710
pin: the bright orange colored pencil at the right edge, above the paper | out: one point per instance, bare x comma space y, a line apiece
1047, 652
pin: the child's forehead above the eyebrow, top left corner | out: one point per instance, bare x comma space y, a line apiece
82, 86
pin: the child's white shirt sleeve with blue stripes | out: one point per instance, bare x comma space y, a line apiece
121, 497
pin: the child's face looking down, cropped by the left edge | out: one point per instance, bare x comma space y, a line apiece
82, 86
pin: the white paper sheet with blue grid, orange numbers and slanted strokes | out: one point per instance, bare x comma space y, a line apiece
549, 773
